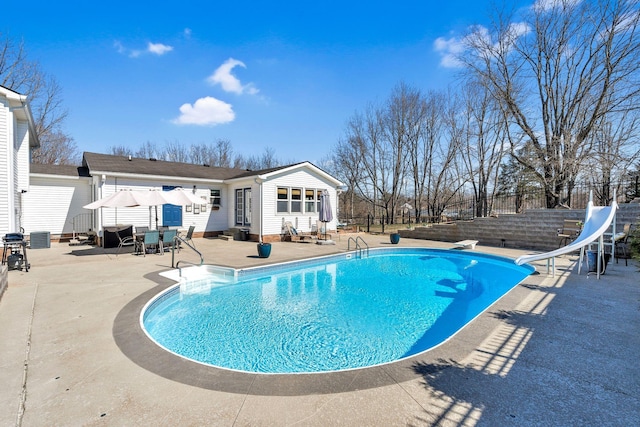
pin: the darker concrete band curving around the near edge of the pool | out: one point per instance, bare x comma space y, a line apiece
140, 349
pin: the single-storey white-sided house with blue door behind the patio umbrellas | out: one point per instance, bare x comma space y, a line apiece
256, 202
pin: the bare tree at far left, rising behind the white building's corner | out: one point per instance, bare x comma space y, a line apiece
44, 94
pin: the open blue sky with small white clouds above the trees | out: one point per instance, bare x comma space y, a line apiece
286, 75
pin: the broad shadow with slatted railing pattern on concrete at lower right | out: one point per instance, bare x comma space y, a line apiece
563, 359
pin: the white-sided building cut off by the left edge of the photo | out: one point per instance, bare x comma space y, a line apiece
17, 138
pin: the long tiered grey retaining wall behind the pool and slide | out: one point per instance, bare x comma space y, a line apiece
535, 229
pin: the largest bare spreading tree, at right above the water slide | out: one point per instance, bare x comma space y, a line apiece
557, 75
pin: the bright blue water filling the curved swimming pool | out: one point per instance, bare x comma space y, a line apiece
333, 314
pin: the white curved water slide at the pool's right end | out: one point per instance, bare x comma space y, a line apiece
597, 220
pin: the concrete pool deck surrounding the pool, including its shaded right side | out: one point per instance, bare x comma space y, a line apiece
557, 350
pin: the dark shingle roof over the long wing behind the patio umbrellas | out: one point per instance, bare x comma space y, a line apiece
122, 164
